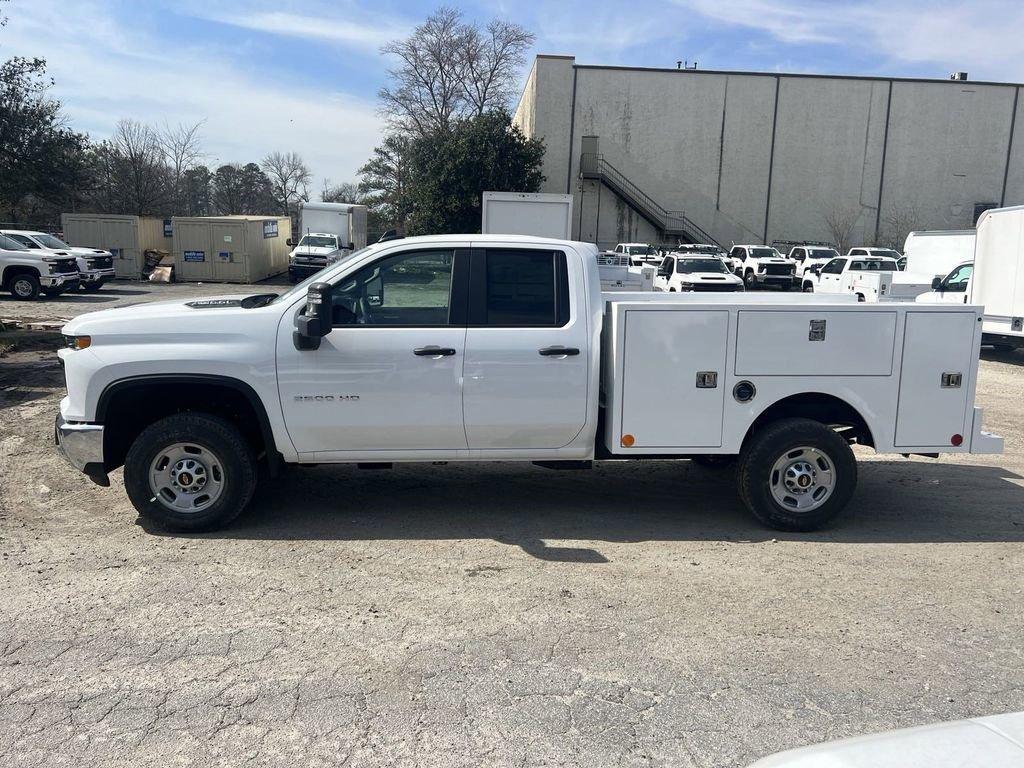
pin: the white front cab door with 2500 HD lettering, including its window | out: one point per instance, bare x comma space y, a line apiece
389, 375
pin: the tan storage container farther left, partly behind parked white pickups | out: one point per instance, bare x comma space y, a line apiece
125, 237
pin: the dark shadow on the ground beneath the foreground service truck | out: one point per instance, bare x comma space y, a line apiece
560, 517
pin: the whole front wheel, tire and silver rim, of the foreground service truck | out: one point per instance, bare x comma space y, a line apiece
191, 473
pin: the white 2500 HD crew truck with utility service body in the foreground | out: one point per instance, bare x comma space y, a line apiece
474, 348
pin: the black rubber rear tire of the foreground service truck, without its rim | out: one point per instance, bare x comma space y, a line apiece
772, 445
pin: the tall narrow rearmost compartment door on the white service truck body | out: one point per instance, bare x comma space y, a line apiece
935, 345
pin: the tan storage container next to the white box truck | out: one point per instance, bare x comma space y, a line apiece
230, 249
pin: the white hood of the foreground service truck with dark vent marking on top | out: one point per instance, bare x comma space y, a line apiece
163, 317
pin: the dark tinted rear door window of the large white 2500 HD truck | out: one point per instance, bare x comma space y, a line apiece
520, 289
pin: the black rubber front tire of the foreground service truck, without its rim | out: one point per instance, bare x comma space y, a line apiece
208, 434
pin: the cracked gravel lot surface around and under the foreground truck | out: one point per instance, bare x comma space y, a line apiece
504, 615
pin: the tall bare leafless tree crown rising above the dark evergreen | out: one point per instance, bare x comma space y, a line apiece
450, 70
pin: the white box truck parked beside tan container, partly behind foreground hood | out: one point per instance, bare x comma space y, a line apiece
328, 232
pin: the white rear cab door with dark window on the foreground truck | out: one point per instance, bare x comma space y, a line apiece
528, 350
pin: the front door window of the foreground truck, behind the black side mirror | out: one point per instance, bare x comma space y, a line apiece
409, 289
